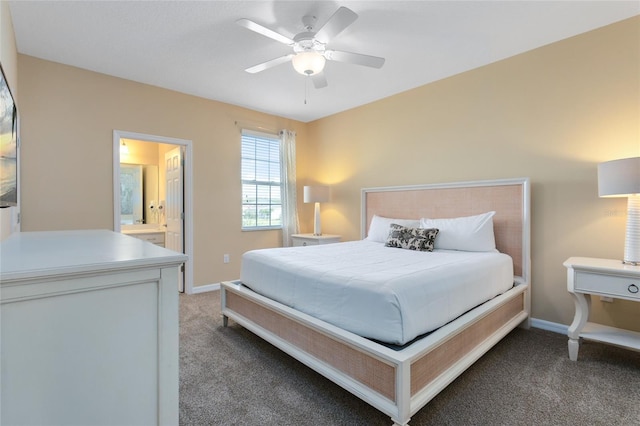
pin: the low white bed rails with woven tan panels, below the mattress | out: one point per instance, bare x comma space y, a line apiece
396, 382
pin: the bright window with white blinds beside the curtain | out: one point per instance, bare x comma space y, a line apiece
261, 183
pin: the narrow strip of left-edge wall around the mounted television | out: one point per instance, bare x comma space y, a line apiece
9, 60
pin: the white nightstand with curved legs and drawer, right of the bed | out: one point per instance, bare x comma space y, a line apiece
601, 277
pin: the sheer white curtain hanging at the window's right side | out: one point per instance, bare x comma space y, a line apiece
290, 224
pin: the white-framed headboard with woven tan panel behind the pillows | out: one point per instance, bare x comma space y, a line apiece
509, 198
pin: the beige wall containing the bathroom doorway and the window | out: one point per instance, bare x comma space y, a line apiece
69, 116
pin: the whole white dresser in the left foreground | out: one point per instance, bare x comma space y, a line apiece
89, 329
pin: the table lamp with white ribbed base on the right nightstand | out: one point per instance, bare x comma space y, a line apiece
621, 178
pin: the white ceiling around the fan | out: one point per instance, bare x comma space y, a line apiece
195, 47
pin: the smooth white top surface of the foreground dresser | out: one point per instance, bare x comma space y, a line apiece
50, 253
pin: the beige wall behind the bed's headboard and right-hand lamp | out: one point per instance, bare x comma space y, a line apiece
551, 114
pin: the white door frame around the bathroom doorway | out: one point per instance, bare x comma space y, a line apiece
187, 193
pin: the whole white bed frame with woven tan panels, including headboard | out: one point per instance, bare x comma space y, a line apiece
401, 382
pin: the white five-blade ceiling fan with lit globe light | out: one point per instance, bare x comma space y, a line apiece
310, 47
